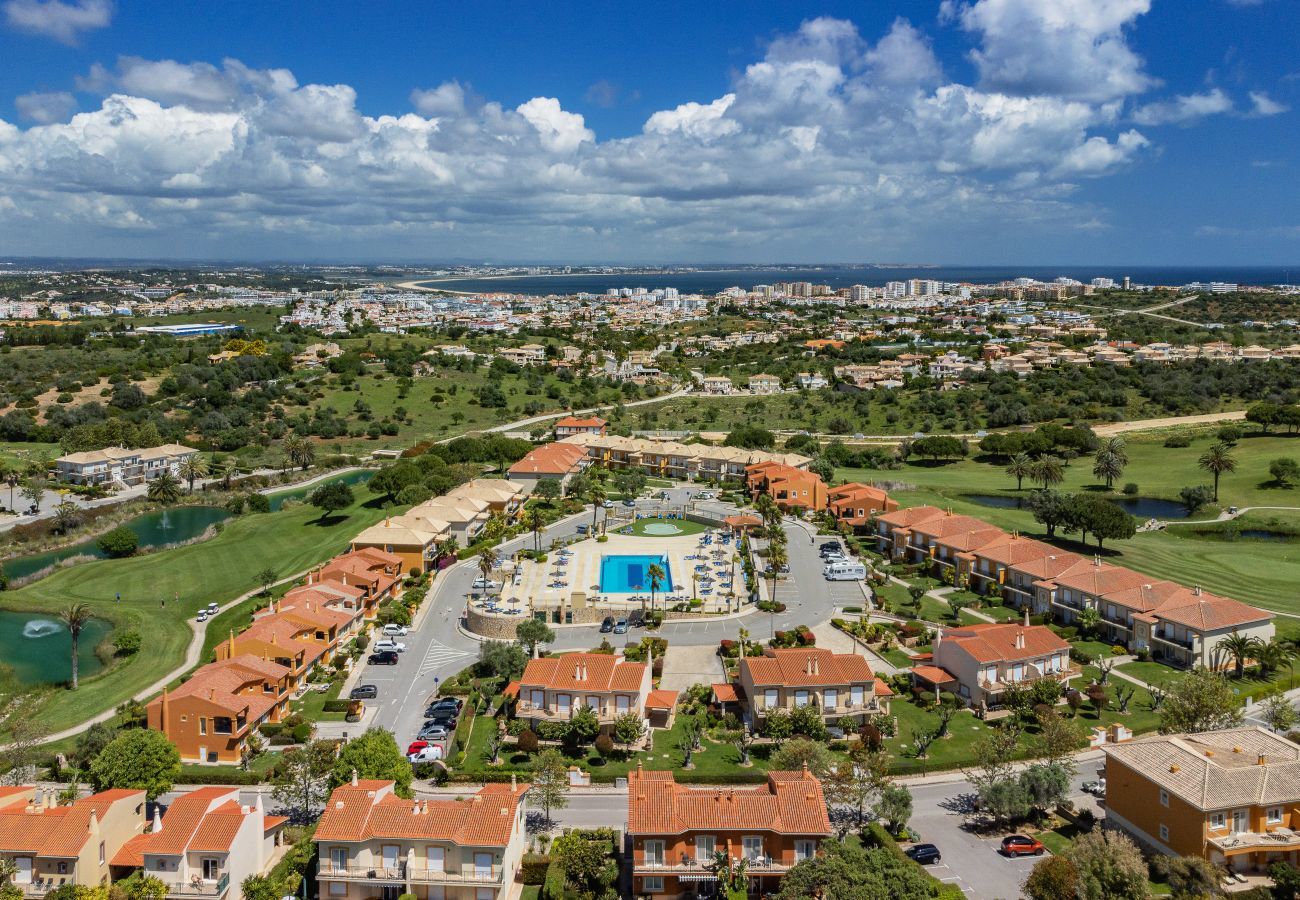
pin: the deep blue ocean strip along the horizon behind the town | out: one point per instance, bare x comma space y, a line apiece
843, 276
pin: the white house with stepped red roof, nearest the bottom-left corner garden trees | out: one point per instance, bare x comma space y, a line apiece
206, 845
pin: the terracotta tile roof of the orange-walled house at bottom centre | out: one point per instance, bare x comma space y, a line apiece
791, 803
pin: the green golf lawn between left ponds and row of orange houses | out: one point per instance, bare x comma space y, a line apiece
211, 572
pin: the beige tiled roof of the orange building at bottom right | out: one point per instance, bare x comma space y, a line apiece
1217, 769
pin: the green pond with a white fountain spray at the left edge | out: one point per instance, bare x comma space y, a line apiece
40, 647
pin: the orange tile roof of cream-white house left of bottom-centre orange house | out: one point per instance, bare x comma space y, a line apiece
370, 810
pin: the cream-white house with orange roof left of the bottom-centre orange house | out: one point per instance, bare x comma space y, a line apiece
375, 843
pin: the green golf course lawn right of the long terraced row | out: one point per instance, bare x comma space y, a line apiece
1255, 572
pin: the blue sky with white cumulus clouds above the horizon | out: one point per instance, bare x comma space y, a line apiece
1141, 132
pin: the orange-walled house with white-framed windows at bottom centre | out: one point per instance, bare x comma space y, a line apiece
675, 830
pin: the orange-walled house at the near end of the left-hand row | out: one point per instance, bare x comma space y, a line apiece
211, 716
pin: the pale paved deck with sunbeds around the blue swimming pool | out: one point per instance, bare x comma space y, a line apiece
583, 573
